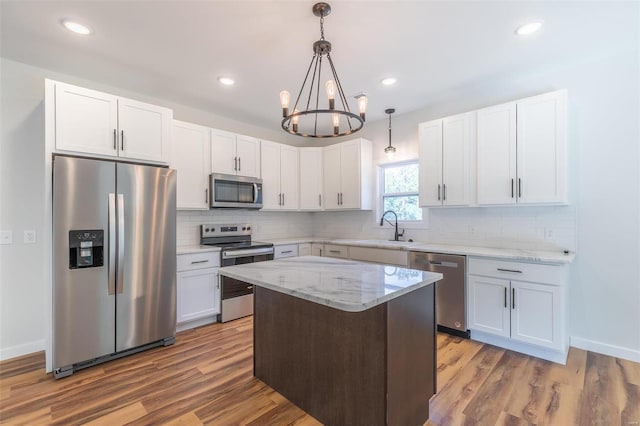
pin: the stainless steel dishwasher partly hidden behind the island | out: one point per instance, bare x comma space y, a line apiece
451, 291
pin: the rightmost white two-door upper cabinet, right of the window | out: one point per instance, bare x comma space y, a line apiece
522, 151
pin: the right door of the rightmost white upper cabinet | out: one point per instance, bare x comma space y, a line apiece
541, 148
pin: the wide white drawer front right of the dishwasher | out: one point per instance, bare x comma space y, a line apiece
521, 271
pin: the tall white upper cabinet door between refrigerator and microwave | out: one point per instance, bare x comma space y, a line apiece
190, 156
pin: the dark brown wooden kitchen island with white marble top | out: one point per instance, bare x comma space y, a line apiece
348, 342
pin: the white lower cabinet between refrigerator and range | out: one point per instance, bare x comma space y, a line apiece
198, 289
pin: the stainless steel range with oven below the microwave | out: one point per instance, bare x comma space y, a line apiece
236, 249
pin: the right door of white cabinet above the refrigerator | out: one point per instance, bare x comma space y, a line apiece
144, 130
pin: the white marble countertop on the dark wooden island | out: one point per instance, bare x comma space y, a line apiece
342, 284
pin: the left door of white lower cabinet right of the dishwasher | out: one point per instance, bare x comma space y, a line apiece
489, 305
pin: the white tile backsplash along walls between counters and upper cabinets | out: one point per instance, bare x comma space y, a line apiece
523, 227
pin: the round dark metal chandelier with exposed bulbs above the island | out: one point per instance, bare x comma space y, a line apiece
310, 119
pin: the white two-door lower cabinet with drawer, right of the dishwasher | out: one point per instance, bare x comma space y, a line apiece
521, 303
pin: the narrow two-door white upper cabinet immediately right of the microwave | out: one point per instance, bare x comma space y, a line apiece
279, 176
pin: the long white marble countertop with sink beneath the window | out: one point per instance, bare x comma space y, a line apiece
528, 255
